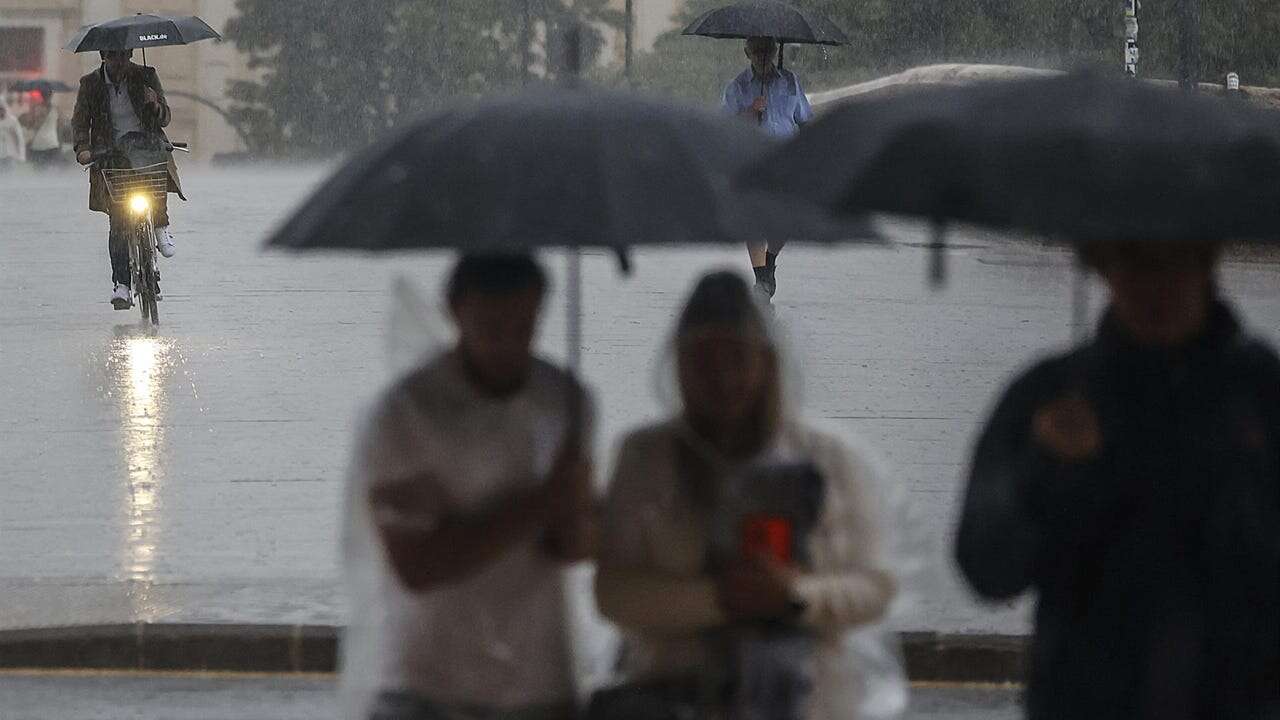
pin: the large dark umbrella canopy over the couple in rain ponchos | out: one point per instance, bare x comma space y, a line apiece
557, 167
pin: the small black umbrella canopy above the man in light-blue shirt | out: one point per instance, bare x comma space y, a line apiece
769, 19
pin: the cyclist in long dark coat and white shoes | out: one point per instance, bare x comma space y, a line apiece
116, 101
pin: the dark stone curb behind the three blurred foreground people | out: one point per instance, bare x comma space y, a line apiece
313, 649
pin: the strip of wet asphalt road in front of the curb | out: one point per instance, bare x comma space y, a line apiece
135, 698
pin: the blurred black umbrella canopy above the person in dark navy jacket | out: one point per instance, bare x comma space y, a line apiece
1077, 157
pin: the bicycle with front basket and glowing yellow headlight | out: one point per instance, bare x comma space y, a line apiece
134, 192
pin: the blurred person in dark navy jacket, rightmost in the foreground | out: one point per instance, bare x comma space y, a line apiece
1135, 484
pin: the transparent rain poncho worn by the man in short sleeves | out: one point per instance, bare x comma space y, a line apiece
418, 334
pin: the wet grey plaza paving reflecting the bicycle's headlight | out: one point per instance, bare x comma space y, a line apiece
195, 475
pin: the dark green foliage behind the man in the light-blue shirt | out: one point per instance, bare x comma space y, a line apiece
894, 35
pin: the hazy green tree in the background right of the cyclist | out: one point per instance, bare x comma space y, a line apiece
336, 75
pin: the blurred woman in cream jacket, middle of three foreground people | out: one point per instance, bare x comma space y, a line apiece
655, 577
